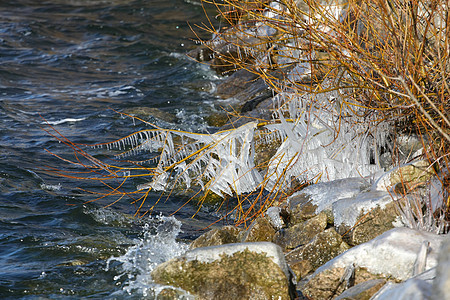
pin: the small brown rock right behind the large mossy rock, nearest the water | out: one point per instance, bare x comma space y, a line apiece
218, 236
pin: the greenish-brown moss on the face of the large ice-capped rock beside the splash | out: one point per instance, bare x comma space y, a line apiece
242, 275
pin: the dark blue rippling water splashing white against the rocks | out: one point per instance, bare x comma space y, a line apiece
70, 62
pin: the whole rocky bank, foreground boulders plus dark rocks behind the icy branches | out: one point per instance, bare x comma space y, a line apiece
367, 237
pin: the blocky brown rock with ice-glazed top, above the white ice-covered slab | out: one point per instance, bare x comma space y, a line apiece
368, 215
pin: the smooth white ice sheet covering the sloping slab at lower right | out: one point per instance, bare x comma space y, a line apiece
393, 253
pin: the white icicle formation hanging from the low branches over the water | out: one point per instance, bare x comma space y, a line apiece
321, 138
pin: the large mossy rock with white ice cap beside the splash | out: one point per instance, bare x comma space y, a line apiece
233, 271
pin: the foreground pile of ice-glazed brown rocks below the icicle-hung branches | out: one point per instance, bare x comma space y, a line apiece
322, 251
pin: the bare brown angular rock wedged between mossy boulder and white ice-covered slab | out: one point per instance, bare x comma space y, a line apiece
322, 248
